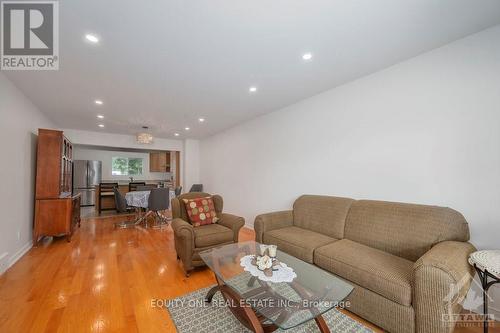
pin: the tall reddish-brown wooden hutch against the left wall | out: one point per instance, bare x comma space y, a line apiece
57, 211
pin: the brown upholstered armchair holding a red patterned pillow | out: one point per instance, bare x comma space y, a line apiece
190, 241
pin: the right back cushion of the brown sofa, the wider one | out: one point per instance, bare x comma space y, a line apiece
405, 230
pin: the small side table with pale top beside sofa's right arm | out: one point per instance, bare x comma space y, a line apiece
487, 265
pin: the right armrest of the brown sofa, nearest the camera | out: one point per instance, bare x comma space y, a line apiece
442, 278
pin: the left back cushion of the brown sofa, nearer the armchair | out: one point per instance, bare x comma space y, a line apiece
323, 214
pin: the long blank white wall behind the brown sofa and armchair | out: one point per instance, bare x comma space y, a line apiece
424, 131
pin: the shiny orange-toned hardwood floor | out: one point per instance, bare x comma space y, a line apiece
103, 281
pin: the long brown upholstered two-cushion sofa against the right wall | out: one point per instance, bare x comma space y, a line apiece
401, 258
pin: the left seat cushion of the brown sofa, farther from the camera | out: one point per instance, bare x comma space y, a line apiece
297, 242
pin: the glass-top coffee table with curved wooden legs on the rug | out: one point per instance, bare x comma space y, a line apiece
266, 306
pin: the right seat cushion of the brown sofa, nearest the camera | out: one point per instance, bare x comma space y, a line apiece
381, 272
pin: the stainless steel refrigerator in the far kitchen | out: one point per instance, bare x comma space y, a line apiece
86, 176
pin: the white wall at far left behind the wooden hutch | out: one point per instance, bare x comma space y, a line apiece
19, 124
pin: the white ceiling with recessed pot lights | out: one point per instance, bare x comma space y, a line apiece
166, 63
